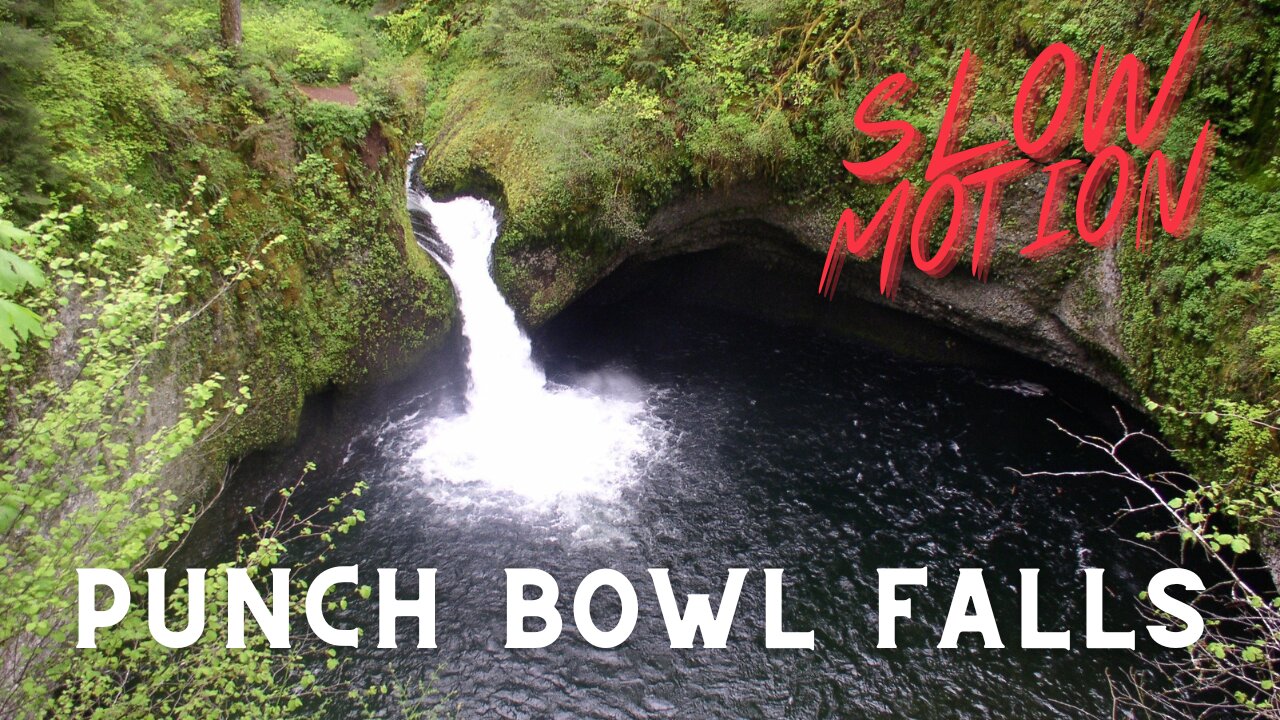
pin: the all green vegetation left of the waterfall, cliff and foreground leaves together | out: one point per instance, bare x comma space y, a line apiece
132, 338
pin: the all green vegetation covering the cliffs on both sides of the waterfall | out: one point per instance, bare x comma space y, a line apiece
584, 119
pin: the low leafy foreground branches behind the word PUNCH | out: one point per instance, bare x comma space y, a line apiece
129, 676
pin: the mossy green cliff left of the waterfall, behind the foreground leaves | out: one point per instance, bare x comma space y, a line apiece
127, 102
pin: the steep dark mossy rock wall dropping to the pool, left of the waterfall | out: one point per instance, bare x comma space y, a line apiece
326, 315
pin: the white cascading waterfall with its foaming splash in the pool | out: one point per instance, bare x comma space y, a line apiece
518, 434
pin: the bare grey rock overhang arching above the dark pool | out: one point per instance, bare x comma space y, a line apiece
1062, 311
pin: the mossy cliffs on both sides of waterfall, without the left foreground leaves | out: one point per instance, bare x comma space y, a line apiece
582, 120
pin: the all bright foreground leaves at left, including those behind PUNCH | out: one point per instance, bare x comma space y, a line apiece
83, 468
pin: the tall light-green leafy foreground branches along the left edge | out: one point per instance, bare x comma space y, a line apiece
88, 439
